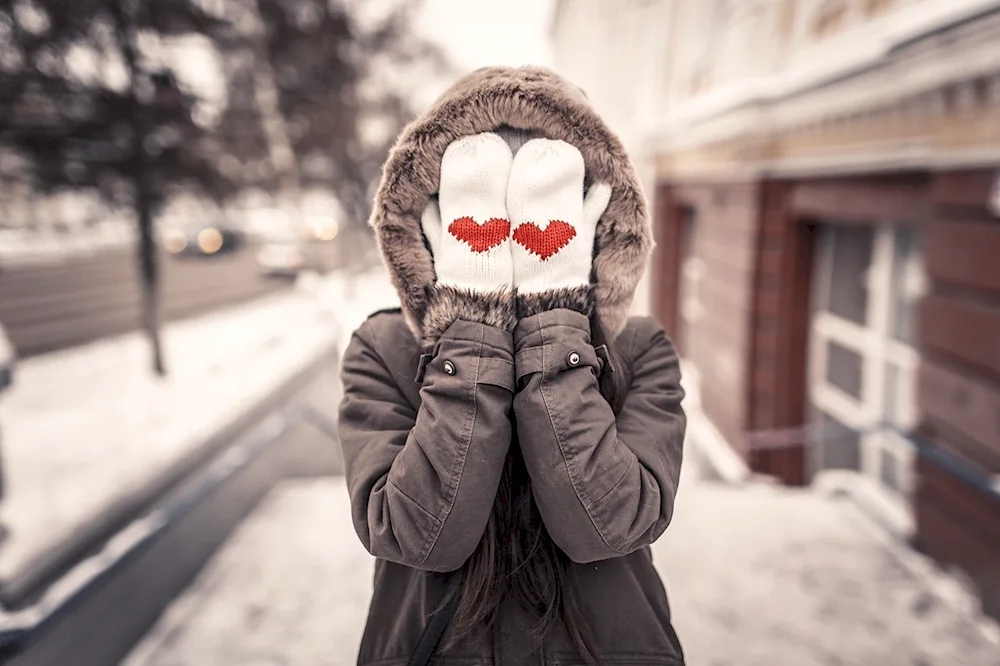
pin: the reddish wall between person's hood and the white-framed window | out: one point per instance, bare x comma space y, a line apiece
750, 345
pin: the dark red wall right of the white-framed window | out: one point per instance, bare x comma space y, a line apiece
959, 387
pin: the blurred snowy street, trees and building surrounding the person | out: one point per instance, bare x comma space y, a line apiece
184, 190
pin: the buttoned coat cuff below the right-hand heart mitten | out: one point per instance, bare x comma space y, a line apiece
552, 342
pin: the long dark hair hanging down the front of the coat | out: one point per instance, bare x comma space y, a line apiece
517, 559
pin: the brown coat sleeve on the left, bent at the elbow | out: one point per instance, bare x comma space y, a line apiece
422, 482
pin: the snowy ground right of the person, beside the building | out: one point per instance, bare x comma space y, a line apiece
765, 575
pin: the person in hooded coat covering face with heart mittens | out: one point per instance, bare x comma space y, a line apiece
512, 439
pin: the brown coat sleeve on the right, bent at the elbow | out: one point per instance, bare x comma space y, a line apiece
604, 485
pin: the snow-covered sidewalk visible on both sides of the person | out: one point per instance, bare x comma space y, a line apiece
757, 575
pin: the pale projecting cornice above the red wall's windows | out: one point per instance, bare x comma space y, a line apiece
929, 103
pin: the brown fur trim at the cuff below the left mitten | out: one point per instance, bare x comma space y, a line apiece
445, 305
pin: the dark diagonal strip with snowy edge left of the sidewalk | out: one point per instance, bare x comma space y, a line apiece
91, 613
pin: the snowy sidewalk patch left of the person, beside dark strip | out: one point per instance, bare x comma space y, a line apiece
291, 586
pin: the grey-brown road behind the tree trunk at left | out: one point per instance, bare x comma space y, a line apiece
46, 307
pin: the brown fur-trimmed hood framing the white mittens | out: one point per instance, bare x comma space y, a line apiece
529, 99
